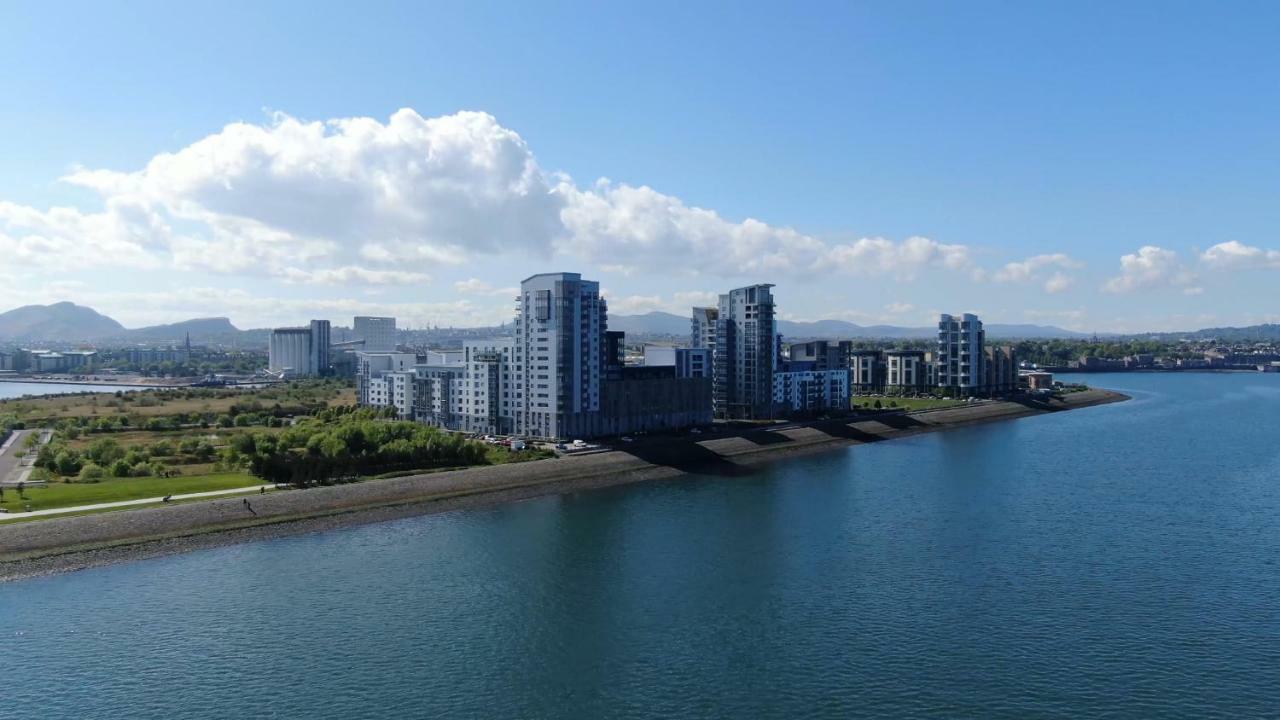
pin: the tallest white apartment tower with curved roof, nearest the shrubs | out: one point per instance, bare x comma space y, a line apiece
559, 363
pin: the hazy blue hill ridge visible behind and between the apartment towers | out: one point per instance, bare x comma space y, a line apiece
668, 325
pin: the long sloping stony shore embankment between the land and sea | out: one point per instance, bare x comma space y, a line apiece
79, 543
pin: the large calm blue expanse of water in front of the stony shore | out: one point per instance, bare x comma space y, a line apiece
1118, 562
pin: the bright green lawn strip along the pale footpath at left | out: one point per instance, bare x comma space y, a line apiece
65, 495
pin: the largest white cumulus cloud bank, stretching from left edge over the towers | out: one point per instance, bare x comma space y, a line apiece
336, 200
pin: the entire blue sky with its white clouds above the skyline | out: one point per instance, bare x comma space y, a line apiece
1103, 167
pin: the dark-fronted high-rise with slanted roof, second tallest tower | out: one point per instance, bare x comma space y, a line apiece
746, 354
